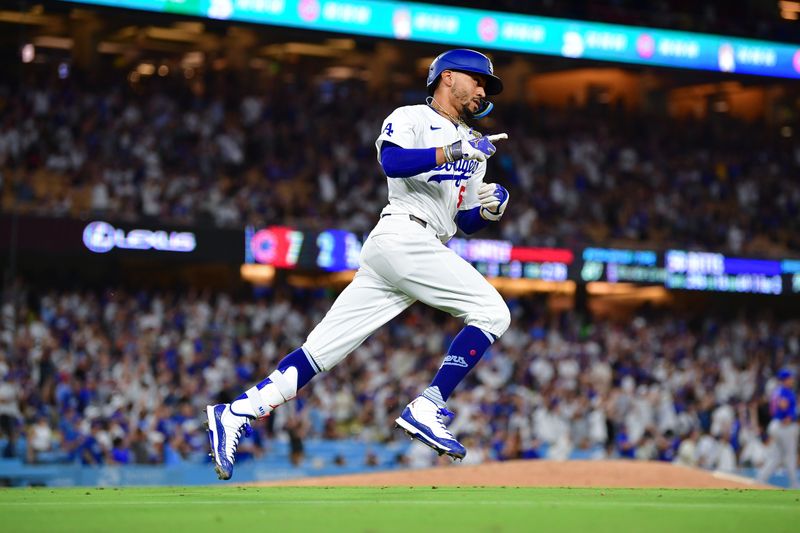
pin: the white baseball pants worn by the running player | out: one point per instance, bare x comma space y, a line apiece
402, 262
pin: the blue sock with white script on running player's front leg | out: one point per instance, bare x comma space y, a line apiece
465, 351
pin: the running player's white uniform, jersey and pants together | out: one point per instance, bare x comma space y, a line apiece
404, 260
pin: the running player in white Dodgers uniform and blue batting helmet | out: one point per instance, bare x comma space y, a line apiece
435, 166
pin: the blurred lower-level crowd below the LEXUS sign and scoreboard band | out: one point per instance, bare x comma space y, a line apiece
120, 377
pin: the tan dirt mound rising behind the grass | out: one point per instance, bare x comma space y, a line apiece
630, 474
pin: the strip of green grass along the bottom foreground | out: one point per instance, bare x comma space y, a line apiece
248, 509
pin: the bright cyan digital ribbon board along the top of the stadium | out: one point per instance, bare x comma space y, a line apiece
500, 31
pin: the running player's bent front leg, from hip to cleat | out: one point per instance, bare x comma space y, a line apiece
438, 277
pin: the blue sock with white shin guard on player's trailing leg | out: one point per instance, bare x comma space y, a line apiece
294, 372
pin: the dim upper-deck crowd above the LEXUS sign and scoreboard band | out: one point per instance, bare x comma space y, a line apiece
303, 154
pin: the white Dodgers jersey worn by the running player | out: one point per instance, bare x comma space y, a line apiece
437, 195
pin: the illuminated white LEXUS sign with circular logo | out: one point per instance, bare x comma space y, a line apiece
101, 237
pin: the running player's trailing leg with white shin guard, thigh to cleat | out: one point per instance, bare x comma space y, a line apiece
364, 305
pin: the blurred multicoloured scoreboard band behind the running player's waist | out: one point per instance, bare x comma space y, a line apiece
335, 250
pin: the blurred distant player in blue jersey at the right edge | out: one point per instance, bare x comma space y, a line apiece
782, 430
